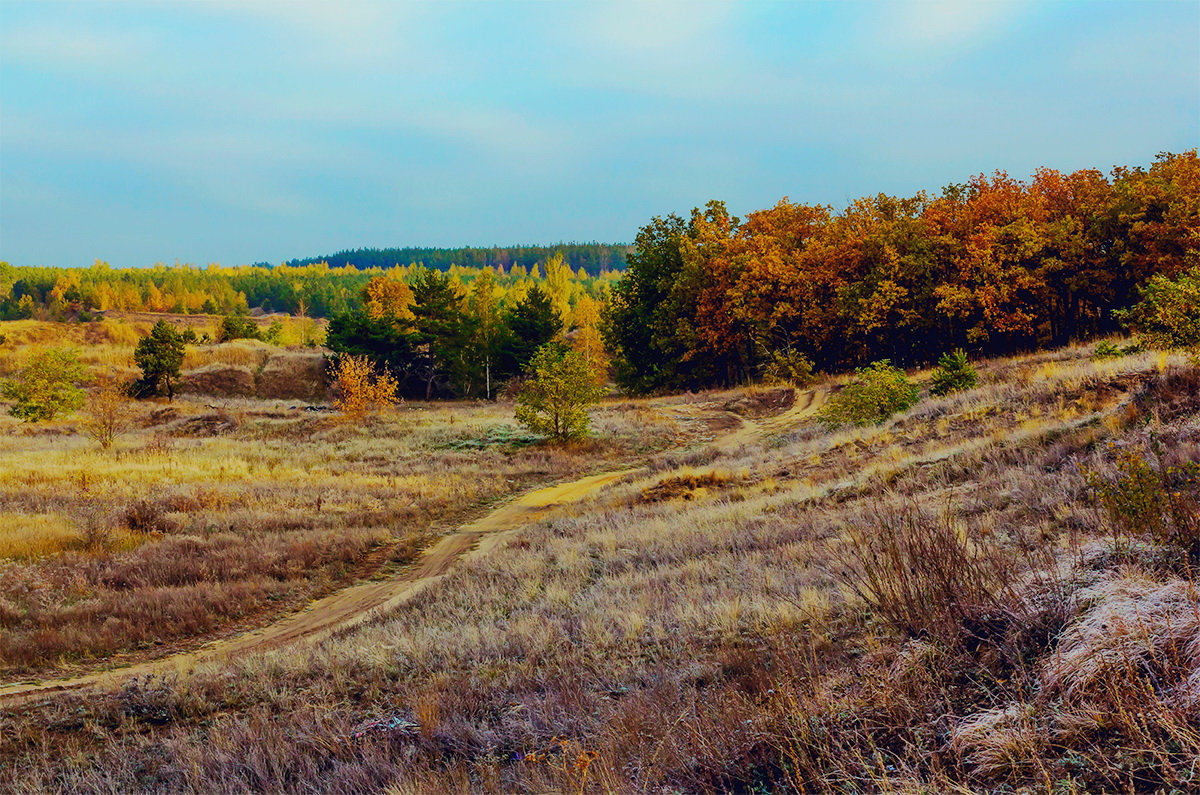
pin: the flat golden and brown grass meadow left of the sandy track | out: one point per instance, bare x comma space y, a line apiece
219, 512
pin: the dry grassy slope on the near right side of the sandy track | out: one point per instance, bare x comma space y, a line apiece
703, 633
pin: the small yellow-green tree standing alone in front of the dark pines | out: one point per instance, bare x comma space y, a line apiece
560, 388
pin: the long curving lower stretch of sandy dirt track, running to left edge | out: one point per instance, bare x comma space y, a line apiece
352, 606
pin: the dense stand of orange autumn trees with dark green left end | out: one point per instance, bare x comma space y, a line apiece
994, 266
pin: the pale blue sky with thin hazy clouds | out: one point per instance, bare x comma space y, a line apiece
238, 131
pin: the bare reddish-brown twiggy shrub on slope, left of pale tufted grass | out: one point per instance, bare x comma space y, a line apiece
922, 576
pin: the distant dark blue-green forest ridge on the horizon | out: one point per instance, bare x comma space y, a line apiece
593, 258
